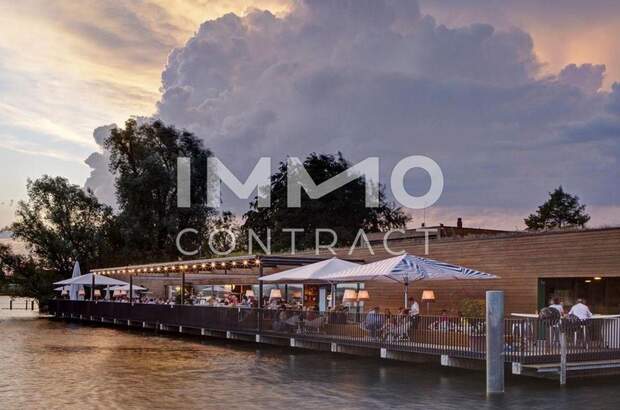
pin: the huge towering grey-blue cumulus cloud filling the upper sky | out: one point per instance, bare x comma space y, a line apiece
381, 78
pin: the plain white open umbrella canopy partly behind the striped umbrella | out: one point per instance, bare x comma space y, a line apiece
313, 272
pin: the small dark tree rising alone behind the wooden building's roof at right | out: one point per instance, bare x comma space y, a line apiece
561, 210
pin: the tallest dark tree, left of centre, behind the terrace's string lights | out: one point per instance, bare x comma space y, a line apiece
144, 162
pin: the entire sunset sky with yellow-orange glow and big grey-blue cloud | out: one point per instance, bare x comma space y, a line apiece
511, 98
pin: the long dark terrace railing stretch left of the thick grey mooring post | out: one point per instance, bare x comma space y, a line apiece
458, 337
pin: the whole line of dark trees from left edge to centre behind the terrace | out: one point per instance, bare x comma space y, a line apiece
61, 222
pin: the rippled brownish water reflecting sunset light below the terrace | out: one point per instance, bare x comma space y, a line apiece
47, 365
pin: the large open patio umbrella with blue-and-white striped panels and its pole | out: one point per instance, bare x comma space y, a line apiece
404, 269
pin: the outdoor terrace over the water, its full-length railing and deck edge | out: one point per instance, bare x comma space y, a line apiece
532, 346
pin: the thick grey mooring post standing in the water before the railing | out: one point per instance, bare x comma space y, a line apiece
495, 341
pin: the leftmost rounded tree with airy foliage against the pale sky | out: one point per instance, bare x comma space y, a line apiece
61, 223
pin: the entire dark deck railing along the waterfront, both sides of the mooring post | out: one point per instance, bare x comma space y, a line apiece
526, 340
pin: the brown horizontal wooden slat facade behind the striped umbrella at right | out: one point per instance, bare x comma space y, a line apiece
519, 259
